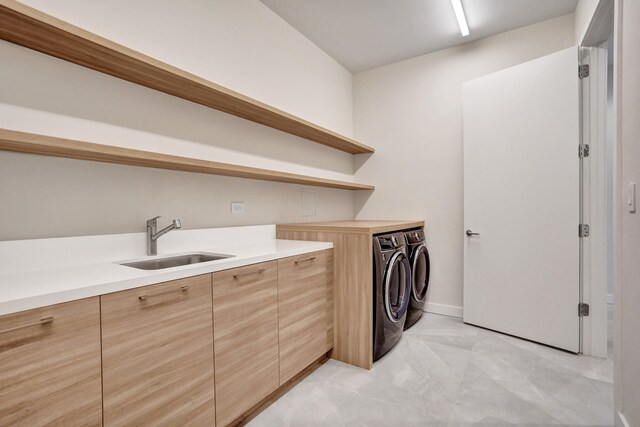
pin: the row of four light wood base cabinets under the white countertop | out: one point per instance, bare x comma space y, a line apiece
205, 350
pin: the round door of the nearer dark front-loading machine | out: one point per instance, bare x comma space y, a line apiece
397, 286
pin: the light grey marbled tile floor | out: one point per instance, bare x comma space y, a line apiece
446, 373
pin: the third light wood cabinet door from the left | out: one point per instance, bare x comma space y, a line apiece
245, 317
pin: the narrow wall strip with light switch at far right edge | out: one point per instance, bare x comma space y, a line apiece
627, 322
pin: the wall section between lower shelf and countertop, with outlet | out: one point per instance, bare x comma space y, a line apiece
53, 197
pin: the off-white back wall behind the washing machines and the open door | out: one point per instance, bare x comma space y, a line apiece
411, 112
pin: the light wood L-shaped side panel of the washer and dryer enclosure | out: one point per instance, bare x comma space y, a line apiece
352, 292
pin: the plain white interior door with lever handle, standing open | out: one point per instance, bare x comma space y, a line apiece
522, 195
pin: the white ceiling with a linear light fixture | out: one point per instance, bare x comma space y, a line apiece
364, 34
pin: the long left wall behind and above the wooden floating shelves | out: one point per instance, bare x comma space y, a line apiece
242, 45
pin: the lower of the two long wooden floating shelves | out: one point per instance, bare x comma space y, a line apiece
23, 142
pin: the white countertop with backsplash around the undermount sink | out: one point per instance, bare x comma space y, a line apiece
27, 288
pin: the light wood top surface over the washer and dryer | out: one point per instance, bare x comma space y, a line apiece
356, 226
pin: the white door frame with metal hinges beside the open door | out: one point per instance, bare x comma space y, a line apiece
593, 110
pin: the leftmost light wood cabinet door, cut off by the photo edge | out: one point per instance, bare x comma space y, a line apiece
50, 366
